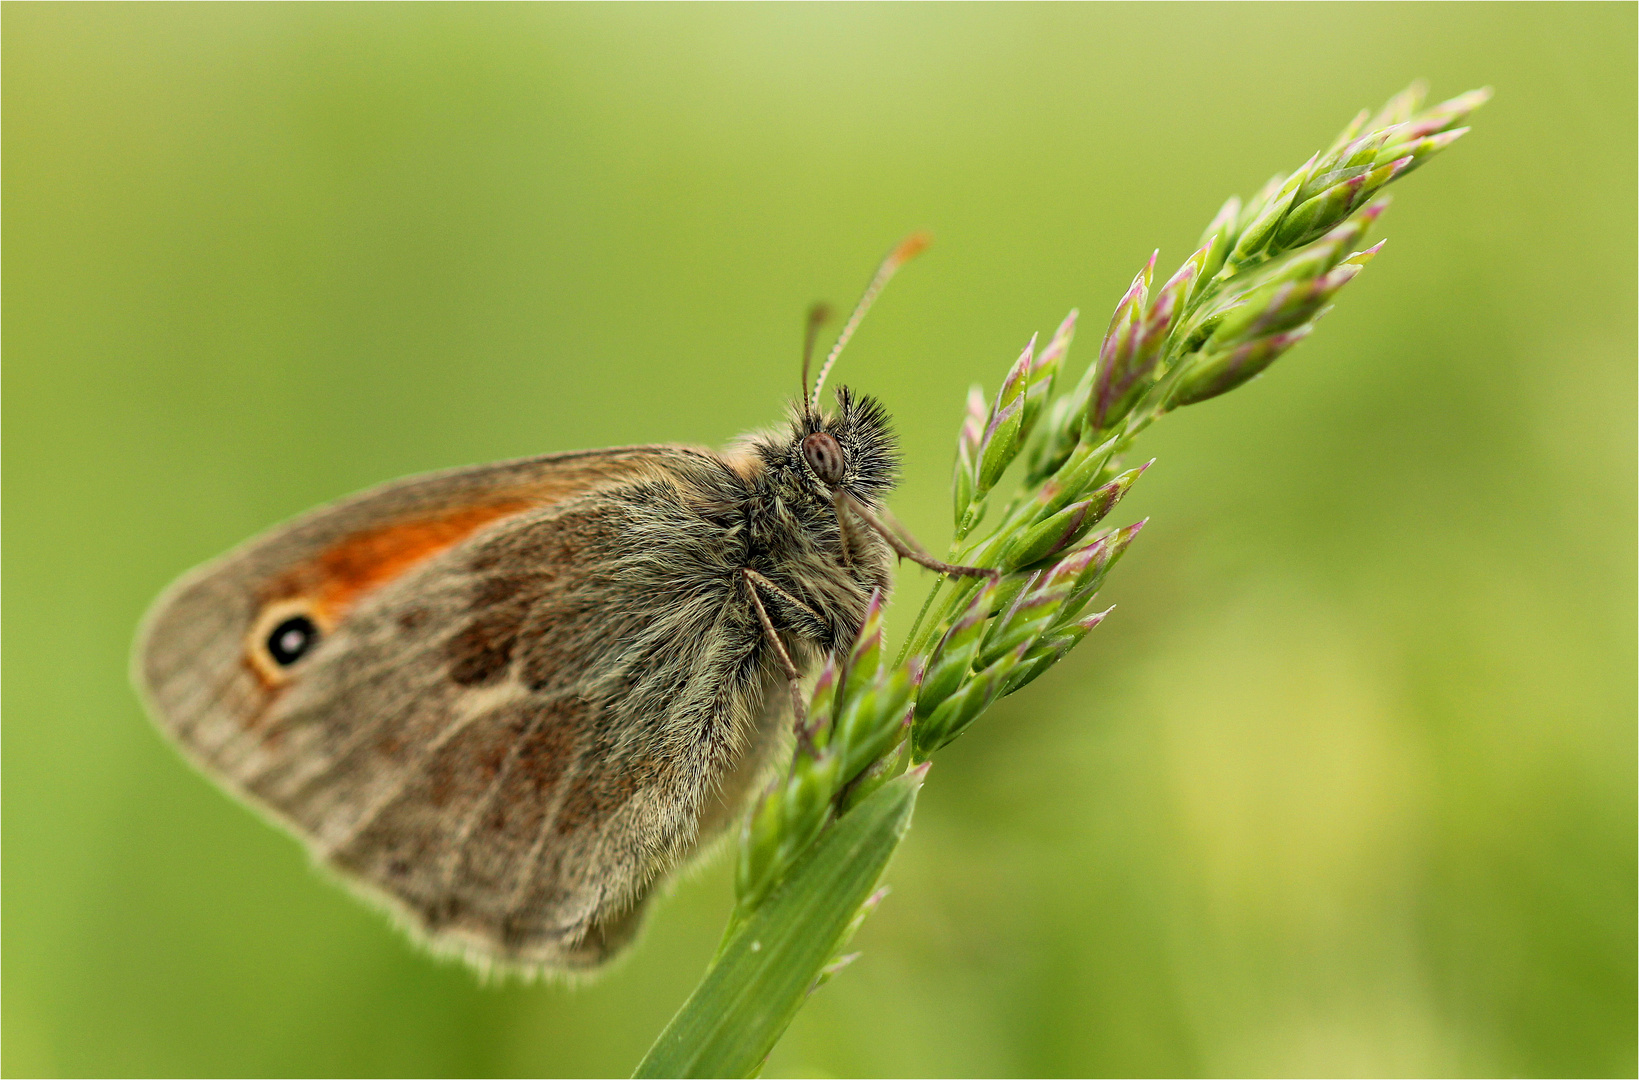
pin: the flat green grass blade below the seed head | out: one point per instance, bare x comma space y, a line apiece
771, 961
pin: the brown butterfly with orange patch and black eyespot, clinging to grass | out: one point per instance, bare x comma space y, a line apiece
507, 701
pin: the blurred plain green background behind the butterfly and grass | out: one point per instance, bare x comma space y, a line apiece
1346, 786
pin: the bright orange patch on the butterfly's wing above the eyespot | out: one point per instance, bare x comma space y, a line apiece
373, 558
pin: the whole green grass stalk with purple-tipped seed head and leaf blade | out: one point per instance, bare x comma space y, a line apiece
815, 843
